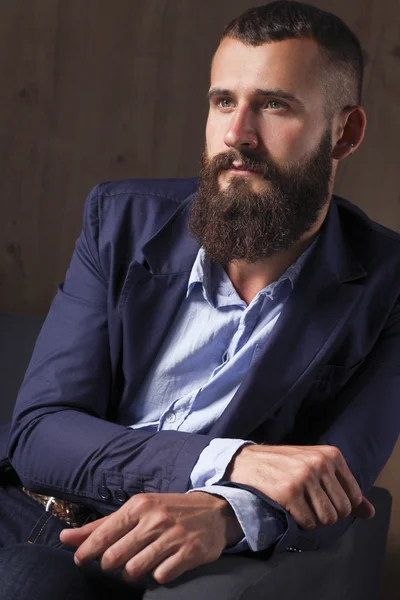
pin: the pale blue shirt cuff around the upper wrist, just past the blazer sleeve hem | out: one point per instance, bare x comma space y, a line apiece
214, 460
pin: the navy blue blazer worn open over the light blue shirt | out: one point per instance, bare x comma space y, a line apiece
329, 375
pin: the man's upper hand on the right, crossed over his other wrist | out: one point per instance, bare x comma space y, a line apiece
313, 483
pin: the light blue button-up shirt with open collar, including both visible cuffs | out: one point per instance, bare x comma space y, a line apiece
213, 342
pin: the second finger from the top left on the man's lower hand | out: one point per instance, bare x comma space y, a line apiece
112, 529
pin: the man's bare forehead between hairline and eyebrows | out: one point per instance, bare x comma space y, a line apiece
293, 64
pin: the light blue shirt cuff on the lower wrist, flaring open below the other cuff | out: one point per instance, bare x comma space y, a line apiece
261, 524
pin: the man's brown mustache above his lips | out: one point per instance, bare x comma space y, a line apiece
249, 162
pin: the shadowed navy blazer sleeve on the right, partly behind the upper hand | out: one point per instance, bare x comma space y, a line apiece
365, 428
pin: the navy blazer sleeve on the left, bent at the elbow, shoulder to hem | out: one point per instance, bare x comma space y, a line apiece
61, 442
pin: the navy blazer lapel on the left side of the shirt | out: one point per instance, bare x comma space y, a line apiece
152, 295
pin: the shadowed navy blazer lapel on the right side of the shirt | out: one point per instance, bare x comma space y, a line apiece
324, 297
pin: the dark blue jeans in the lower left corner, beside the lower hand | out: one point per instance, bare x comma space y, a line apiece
35, 564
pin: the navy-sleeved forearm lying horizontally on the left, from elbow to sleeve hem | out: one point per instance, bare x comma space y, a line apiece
76, 456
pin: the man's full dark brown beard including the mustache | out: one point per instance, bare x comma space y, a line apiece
240, 224
